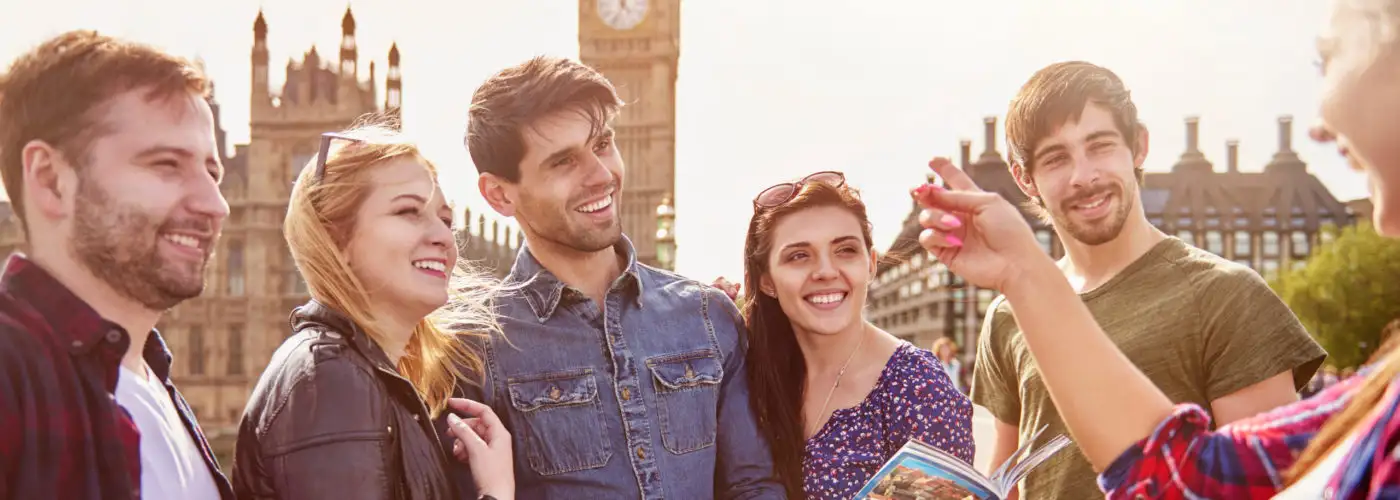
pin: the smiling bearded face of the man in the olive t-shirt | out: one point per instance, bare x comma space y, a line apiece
1084, 176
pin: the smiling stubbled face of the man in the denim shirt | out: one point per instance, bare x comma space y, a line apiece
570, 183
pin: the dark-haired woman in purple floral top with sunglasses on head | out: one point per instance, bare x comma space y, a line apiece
836, 397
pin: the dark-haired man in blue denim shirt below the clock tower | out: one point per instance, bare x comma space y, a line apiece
617, 380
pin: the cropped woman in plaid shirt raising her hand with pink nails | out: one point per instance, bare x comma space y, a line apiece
1340, 445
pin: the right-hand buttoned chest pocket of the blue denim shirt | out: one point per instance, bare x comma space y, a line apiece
688, 391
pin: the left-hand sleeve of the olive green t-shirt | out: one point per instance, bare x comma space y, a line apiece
995, 383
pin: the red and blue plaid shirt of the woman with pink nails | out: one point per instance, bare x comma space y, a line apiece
1185, 460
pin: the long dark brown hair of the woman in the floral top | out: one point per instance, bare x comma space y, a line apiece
776, 366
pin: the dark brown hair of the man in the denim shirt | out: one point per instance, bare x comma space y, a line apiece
519, 96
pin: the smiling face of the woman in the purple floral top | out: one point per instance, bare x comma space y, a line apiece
820, 270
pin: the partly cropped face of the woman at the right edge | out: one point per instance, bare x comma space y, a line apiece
1360, 54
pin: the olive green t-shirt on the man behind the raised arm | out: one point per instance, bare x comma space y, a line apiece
1200, 327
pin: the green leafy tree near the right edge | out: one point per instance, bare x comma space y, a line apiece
1346, 293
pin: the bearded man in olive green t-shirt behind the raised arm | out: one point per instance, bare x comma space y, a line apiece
1205, 330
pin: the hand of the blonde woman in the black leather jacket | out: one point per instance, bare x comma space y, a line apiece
484, 445
